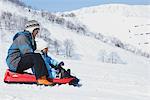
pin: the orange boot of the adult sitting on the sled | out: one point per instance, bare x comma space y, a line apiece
43, 81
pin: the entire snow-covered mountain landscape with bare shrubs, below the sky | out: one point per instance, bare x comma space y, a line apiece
106, 71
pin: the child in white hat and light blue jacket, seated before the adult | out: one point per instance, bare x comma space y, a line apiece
55, 69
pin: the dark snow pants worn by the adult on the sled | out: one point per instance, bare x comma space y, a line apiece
34, 60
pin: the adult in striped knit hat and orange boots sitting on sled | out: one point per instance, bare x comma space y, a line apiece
21, 54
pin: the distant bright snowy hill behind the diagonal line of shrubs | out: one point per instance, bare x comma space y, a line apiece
129, 23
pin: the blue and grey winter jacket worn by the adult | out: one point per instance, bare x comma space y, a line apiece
23, 43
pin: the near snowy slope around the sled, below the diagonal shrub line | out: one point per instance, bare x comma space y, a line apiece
128, 80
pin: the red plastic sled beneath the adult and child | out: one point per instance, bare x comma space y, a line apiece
13, 77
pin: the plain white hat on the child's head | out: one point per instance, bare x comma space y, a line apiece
40, 44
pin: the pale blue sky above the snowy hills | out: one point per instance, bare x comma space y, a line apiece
67, 5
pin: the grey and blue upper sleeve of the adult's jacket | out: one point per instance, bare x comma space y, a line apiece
24, 45
